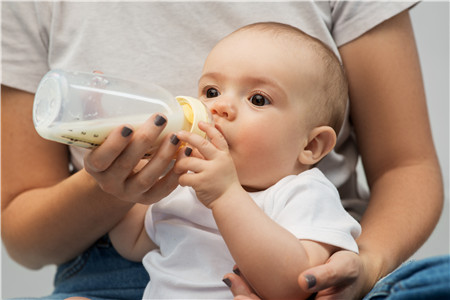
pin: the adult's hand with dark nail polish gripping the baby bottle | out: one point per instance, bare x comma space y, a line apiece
119, 169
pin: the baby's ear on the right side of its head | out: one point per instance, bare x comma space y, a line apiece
321, 141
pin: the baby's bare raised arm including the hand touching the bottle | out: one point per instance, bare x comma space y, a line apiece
269, 256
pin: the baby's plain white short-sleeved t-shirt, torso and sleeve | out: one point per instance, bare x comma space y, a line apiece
192, 256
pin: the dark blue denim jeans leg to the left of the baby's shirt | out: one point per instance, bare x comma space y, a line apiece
100, 273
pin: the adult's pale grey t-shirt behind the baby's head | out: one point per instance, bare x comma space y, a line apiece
166, 43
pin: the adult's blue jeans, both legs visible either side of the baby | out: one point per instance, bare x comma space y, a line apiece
101, 273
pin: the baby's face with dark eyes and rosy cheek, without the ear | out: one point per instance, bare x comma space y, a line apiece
257, 89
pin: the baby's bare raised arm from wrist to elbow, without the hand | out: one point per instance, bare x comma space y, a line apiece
268, 256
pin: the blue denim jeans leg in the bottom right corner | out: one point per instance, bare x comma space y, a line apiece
427, 279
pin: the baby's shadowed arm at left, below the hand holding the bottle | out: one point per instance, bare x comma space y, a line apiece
129, 236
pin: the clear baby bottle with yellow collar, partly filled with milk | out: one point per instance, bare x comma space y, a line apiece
81, 109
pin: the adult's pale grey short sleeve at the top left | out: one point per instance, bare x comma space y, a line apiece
24, 43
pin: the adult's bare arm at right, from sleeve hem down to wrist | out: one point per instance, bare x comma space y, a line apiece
389, 112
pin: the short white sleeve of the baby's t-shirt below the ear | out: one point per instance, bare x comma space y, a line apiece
313, 211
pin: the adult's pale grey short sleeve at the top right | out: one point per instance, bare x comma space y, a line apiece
351, 19
